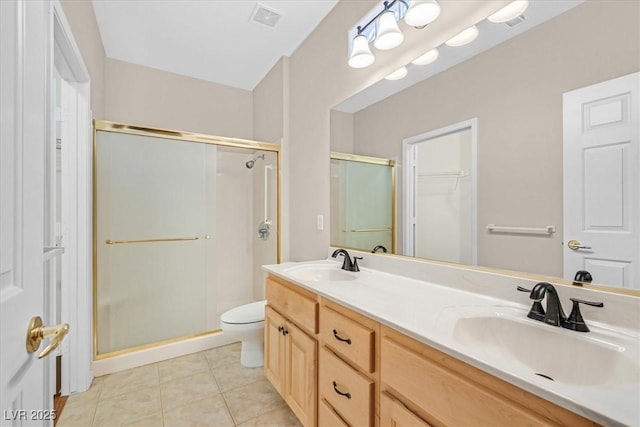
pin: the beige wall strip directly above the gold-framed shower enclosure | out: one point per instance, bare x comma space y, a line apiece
150, 97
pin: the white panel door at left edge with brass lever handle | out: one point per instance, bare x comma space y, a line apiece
24, 83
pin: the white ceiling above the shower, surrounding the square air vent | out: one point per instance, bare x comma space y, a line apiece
212, 40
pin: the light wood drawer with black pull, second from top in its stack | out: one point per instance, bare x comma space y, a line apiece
349, 392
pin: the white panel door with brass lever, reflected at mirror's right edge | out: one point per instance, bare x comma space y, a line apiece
602, 182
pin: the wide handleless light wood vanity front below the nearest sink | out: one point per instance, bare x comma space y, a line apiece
441, 390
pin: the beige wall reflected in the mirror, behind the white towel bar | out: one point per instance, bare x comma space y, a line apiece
515, 90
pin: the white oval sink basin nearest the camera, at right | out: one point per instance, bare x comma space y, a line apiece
522, 345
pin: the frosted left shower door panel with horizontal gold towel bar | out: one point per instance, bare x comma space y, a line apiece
155, 200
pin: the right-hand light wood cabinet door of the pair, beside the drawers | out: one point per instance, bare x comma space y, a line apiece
301, 366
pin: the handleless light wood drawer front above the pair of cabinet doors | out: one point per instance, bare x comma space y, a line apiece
301, 309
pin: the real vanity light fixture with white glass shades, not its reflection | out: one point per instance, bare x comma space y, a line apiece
386, 33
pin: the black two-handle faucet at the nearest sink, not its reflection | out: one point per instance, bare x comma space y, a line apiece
554, 314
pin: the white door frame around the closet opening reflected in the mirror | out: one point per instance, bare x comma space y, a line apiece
409, 146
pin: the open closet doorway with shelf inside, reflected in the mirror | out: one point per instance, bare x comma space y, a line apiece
439, 202
